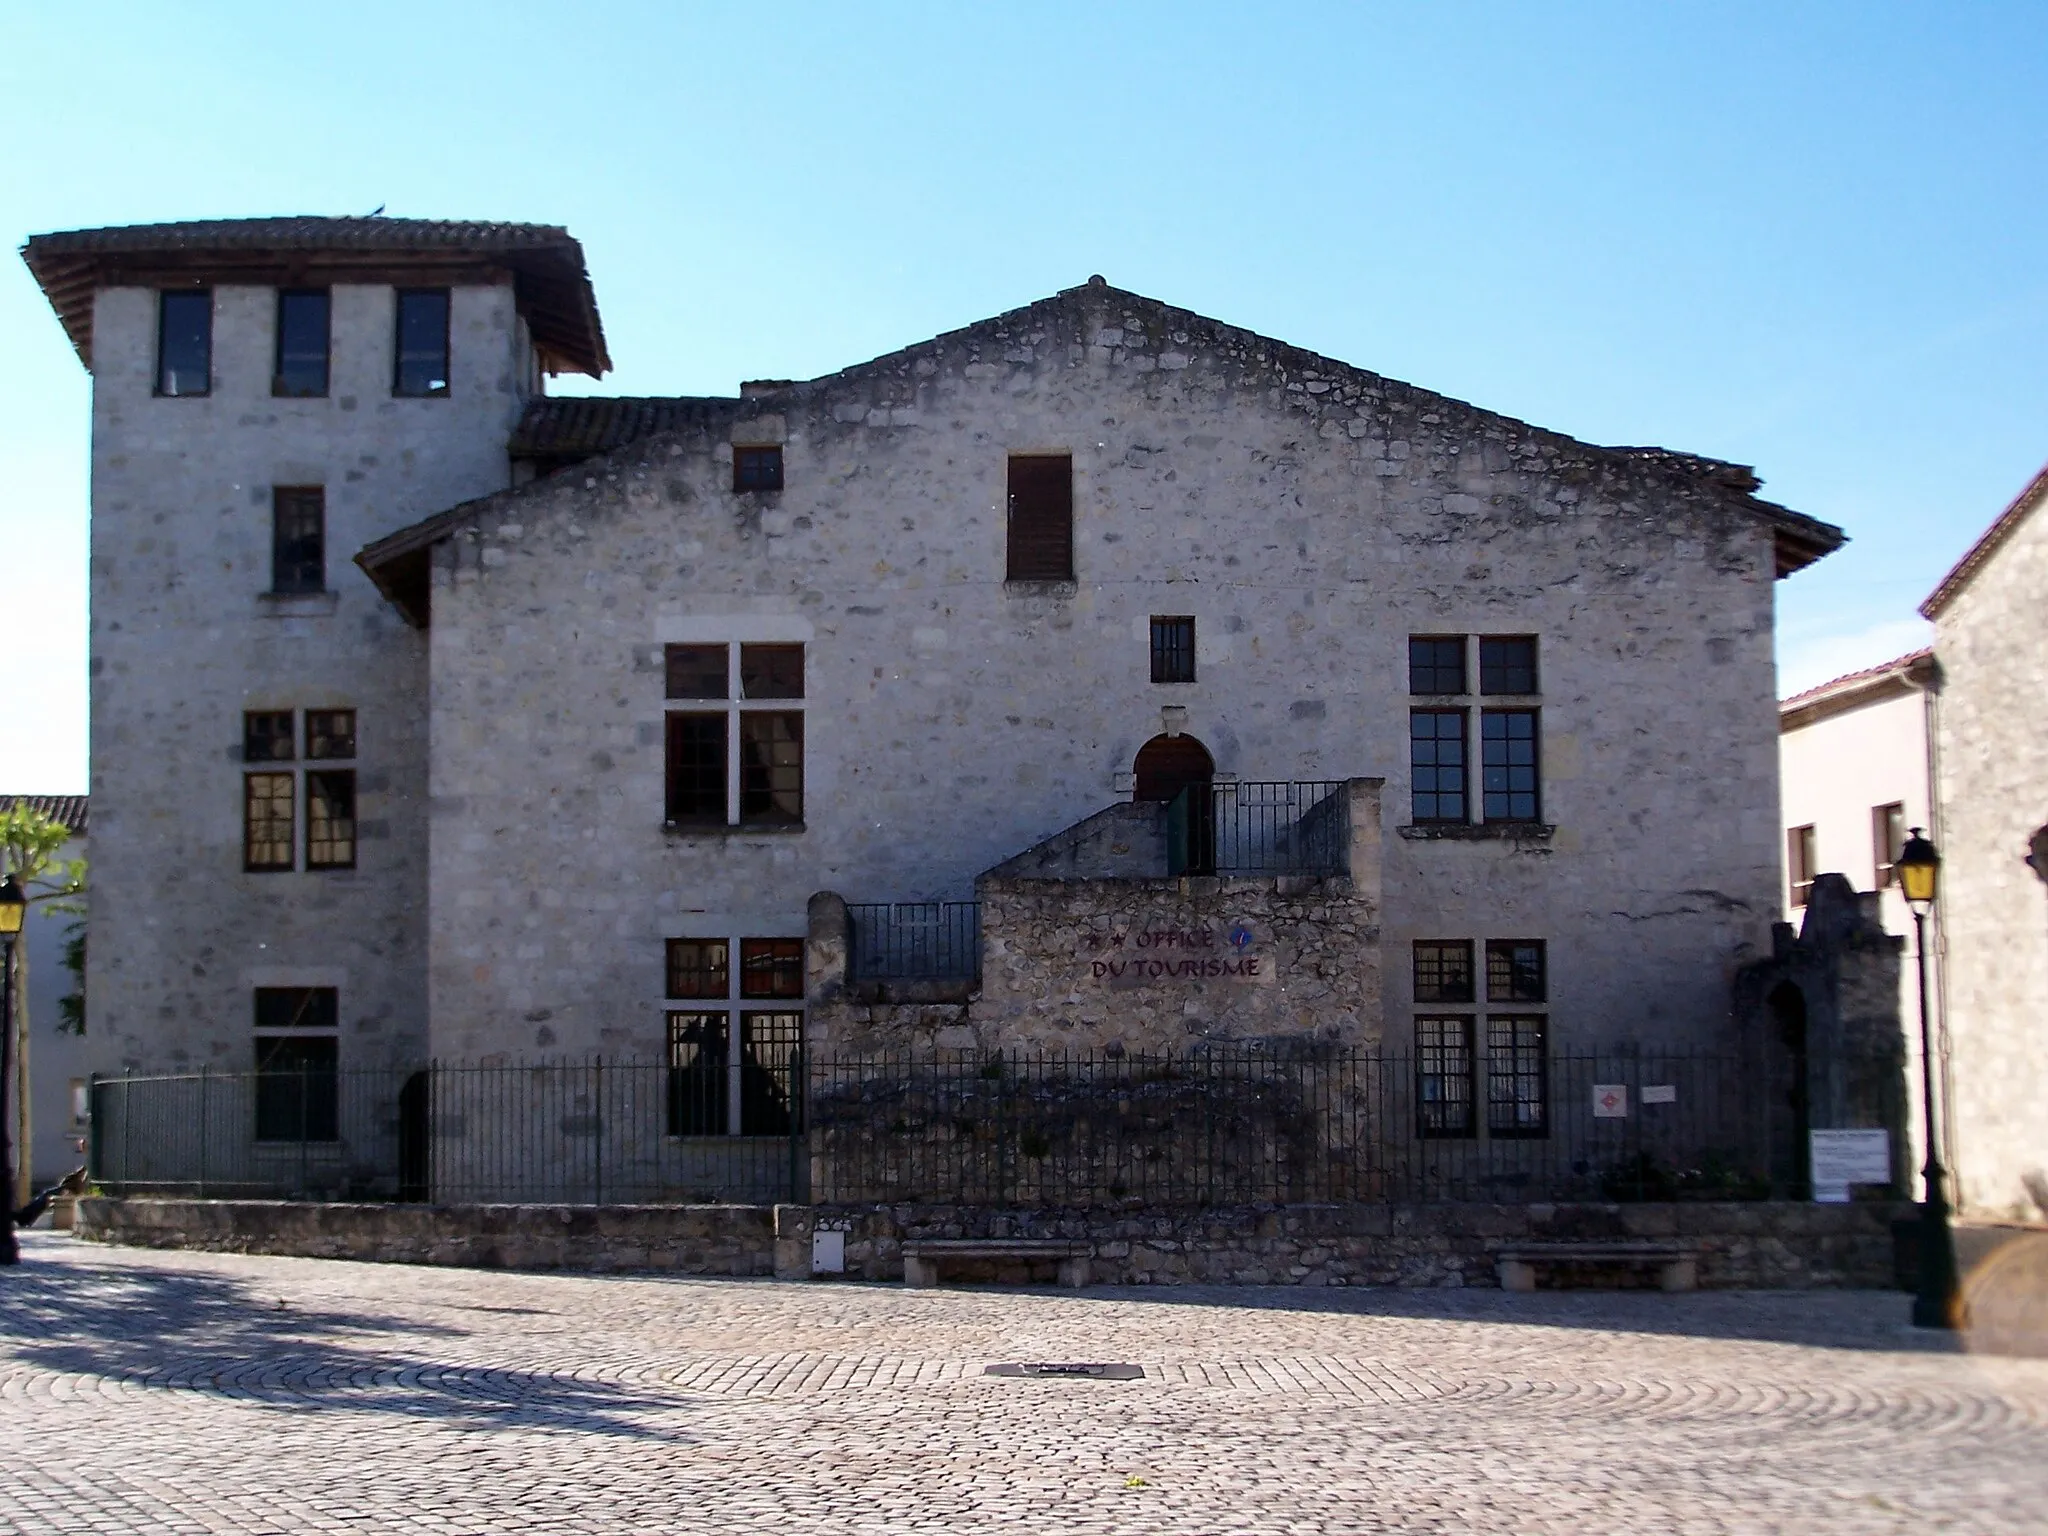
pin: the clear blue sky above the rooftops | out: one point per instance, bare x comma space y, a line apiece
1809, 239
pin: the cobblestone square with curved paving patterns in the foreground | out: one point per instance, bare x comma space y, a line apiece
210, 1394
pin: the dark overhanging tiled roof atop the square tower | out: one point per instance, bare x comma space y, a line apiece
554, 288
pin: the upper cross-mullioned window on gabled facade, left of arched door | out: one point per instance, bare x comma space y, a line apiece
734, 763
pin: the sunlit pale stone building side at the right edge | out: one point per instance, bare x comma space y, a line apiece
1992, 759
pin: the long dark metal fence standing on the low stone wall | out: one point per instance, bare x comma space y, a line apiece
1199, 1129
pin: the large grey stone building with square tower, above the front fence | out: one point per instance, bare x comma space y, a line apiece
1379, 716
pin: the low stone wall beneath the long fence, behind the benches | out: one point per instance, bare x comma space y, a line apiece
1740, 1244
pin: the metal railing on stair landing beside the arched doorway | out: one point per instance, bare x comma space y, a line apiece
1261, 828
